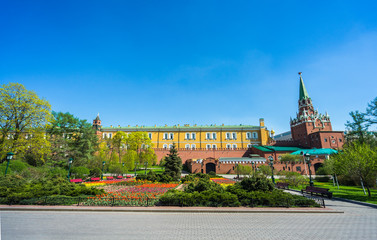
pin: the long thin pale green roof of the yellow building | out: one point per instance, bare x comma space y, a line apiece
183, 127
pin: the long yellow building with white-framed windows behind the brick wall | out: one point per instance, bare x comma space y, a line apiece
195, 136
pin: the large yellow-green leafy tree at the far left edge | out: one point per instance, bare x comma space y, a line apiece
22, 113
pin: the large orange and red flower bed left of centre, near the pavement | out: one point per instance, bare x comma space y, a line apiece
141, 193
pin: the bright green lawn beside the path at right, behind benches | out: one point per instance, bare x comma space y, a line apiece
347, 192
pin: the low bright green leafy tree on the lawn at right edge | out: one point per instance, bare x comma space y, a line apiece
356, 160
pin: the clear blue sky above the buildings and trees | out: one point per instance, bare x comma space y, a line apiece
203, 62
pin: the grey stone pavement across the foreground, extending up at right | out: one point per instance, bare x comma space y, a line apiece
357, 222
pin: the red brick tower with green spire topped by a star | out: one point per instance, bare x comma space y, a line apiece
307, 120
